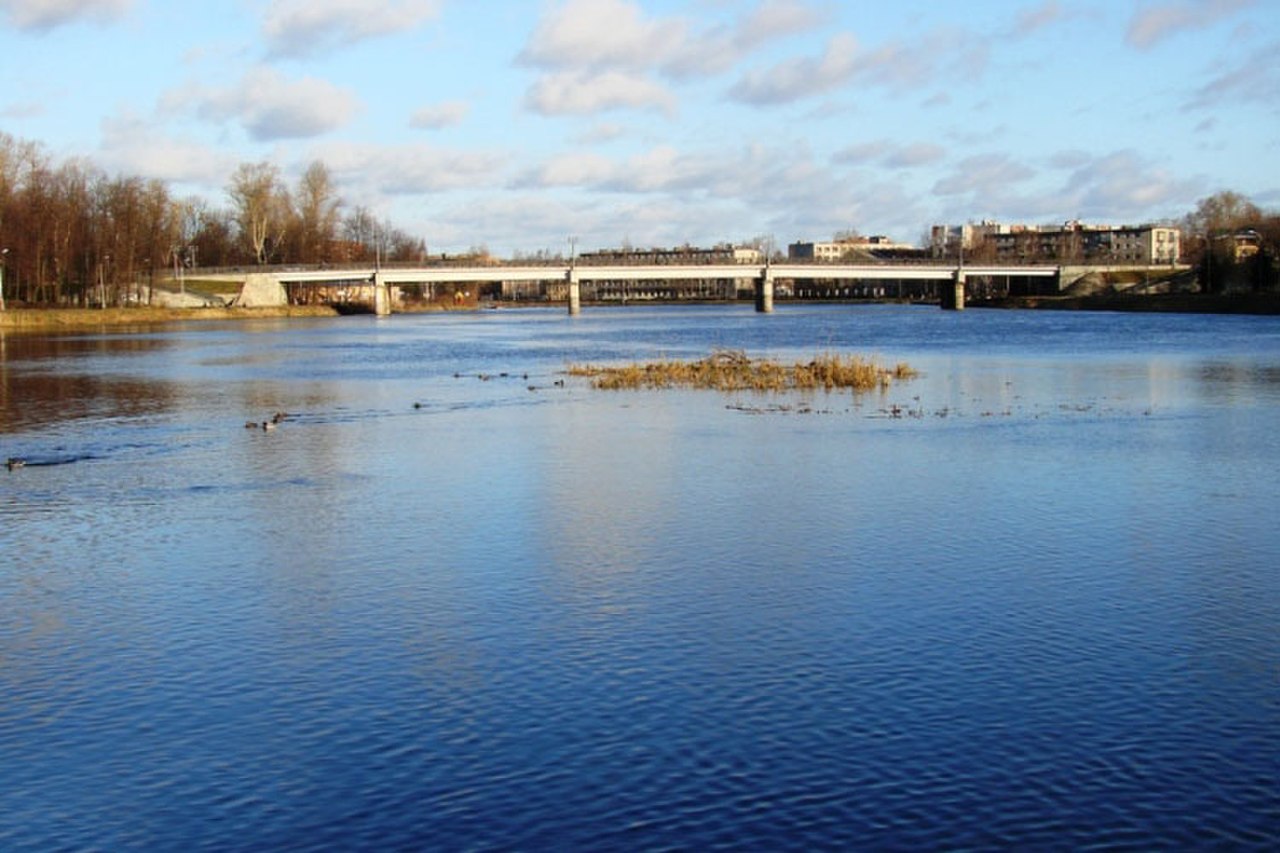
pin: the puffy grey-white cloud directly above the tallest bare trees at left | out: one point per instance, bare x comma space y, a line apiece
271, 107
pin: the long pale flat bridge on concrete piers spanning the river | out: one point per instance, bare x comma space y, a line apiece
267, 286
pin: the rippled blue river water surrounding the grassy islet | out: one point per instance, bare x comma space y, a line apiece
460, 600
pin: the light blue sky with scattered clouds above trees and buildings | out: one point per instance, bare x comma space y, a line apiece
524, 125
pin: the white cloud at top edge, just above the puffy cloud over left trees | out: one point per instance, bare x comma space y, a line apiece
307, 28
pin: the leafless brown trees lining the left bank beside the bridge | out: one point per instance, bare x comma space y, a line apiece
72, 235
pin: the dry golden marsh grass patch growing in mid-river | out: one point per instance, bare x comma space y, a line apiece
734, 371
